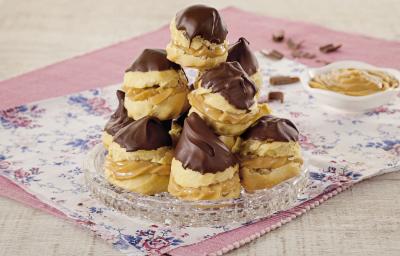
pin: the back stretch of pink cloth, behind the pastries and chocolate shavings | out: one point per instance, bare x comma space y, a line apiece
105, 66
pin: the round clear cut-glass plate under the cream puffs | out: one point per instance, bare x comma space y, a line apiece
166, 209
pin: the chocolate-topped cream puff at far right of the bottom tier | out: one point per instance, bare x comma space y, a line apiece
269, 154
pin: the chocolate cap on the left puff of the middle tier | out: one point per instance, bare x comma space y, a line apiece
153, 60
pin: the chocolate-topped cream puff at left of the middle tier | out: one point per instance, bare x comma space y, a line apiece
155, 86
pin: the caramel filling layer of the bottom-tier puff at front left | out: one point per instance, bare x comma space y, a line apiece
124, 170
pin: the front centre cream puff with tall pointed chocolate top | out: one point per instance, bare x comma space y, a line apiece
203, 168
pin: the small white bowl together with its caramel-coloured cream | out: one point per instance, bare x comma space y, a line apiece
352, 86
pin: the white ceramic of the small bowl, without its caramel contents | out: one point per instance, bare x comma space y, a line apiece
346, 102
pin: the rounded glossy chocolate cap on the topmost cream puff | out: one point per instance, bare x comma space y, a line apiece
201, 20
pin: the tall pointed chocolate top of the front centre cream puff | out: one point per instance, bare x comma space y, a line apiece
200, 149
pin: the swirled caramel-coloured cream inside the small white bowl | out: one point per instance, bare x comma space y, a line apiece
354, 82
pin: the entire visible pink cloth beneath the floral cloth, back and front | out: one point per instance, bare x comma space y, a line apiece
105, 66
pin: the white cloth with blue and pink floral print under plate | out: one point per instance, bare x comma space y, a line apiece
43, 144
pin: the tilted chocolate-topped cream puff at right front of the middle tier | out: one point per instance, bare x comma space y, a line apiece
225, 97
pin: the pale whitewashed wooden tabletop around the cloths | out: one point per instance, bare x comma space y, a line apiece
362, 221
